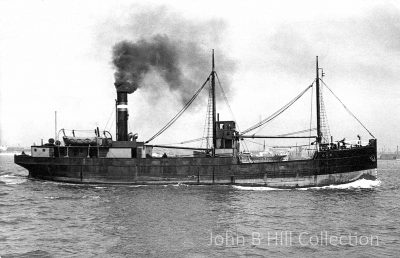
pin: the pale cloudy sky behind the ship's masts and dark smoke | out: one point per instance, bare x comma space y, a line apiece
57, 56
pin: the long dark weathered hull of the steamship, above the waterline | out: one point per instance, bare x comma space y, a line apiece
326, 168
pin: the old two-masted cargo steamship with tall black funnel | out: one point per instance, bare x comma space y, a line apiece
125, 160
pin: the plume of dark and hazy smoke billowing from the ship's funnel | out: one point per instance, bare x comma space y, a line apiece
176, 49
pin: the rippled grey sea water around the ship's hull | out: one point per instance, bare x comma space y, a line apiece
48, 219
